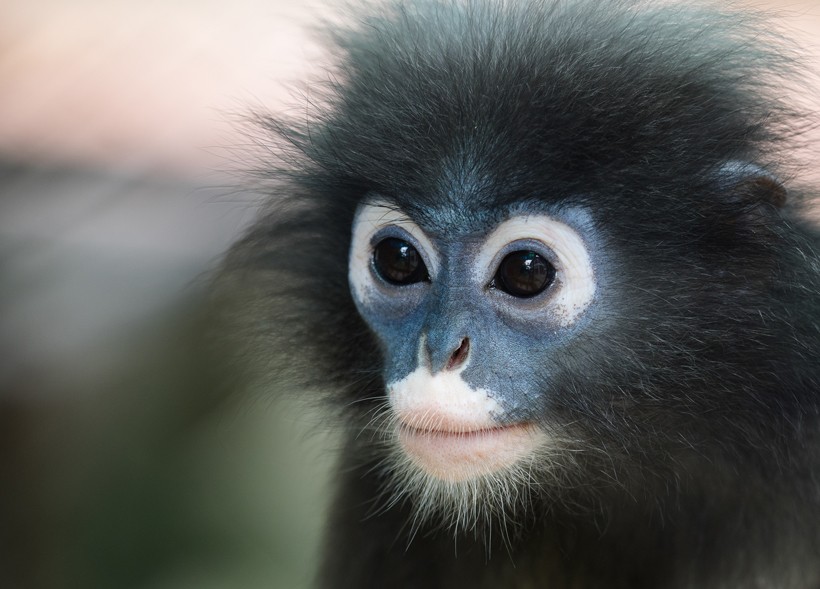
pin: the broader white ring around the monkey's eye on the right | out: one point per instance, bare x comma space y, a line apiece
575, 277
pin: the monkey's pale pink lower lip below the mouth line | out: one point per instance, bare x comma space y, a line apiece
462, 453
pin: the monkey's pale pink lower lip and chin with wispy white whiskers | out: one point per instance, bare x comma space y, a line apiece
467, 480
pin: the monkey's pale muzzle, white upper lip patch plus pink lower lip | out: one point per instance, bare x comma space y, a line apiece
451, 430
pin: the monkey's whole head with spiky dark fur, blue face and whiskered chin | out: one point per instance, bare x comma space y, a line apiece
541, 250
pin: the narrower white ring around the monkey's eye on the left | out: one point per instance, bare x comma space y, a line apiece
371, 218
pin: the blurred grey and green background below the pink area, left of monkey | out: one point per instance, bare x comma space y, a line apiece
123, 464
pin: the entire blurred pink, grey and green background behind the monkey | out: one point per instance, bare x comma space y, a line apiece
121, 182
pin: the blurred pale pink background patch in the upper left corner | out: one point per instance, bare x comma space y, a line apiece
146, 86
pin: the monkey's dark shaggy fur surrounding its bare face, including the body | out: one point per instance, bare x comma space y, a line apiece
695, 400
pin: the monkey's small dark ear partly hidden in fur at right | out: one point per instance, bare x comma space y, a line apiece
751, 185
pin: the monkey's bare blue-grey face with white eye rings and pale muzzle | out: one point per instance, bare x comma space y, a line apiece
468, 323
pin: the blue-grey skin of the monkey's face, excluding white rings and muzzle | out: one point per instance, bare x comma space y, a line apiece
512, 340
